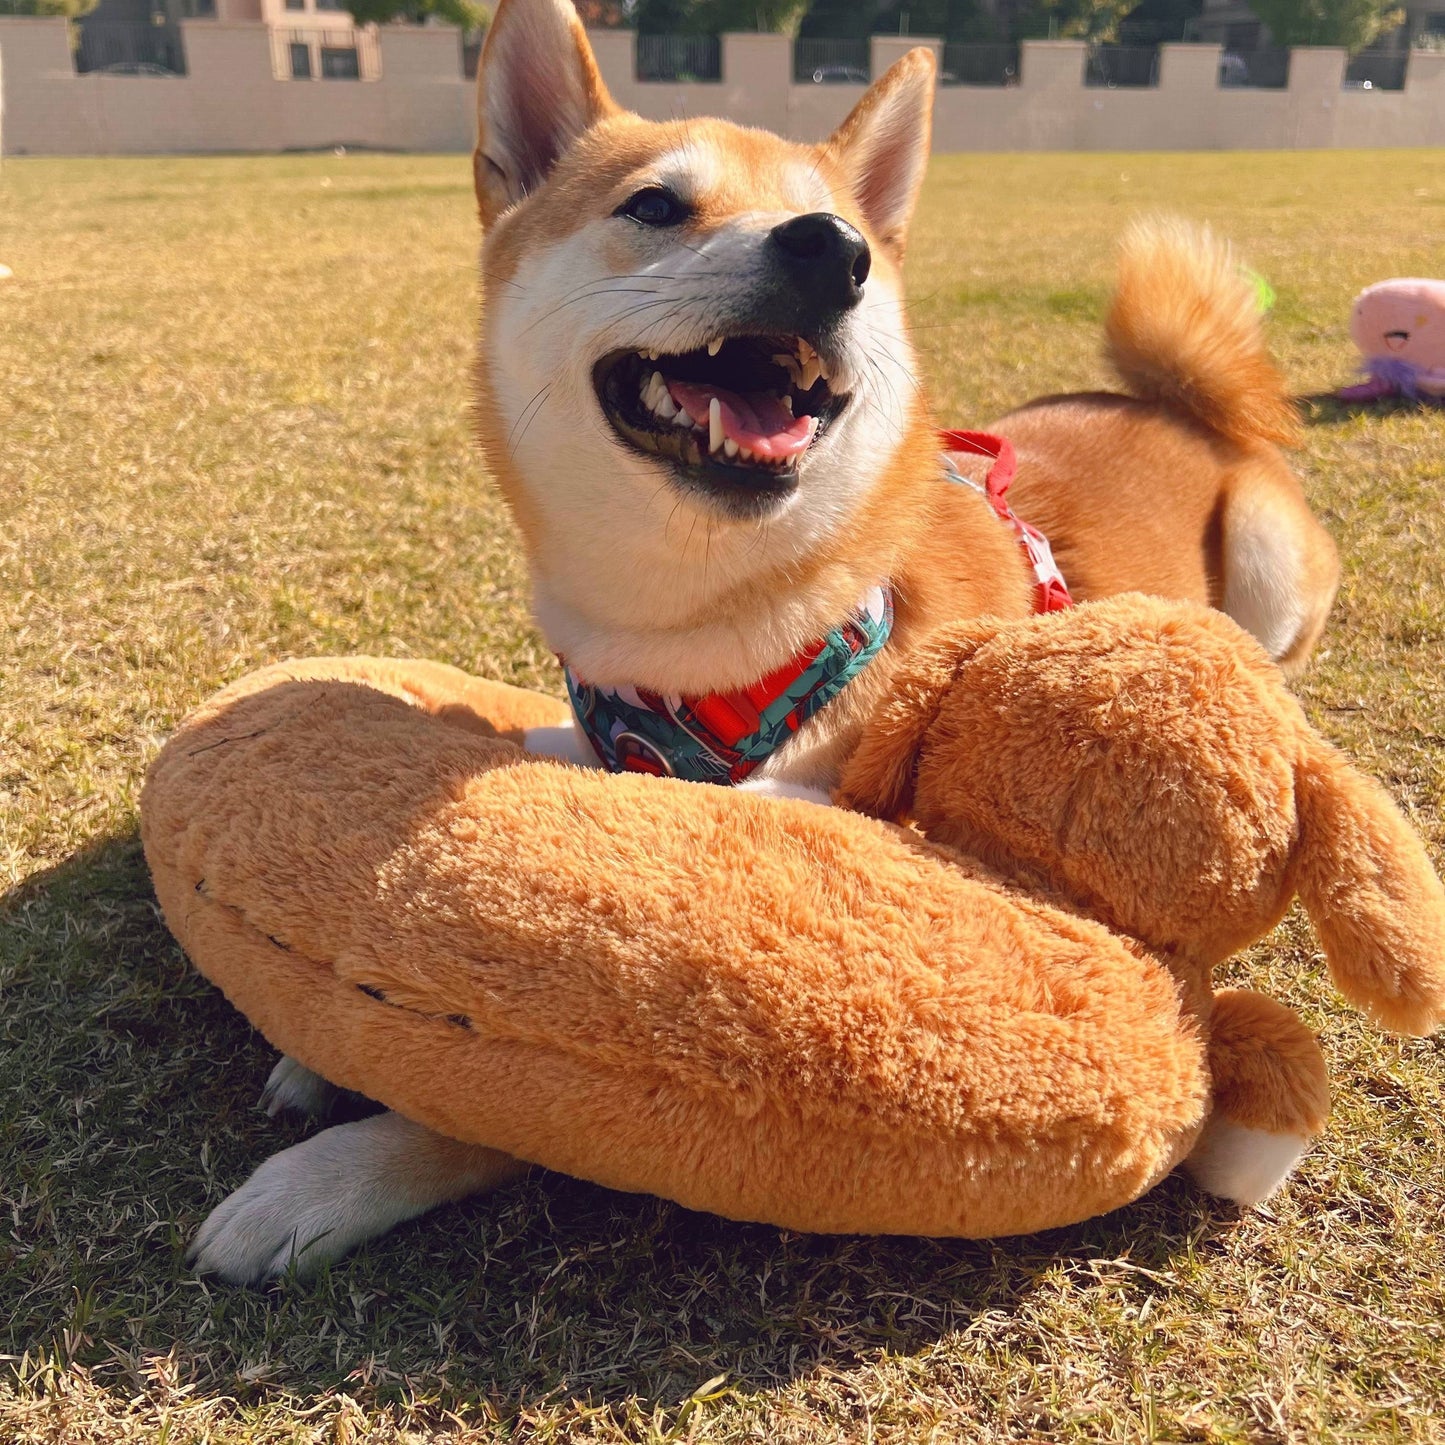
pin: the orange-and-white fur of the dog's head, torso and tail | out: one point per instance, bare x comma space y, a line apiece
1177, 491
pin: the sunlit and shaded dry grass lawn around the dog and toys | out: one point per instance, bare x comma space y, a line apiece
233, 427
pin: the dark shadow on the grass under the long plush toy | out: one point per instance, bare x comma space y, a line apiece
132, 1110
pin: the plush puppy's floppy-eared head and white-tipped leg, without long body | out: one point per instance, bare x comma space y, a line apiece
1144, 762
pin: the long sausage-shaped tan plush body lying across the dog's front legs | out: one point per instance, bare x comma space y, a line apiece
765, 1009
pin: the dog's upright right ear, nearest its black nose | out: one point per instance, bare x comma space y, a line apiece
884, 147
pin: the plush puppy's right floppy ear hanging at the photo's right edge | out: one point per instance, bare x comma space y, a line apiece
1371, 892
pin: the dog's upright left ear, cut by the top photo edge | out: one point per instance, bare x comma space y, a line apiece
538, 89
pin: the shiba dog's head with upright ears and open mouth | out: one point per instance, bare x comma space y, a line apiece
687, 323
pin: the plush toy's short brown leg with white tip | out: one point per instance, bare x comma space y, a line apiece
1271, 1099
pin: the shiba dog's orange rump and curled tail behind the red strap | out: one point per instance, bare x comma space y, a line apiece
1180, 489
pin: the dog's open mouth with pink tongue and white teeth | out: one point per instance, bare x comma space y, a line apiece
736, 415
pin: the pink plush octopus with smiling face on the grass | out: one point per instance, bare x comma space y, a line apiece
1399, 327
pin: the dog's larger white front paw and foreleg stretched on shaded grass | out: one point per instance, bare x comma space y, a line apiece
313, 1203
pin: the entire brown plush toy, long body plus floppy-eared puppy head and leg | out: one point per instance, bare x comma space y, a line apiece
793, 1014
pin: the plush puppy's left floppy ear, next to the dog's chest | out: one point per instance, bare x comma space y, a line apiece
881, 775
